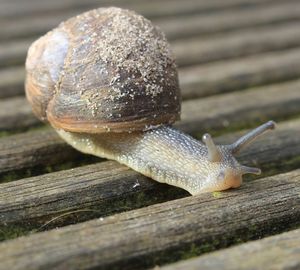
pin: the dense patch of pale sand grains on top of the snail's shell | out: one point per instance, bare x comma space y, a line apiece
130, 42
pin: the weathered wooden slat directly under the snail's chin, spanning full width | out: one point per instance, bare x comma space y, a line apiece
158, 233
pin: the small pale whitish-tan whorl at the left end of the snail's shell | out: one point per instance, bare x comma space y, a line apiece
44, 65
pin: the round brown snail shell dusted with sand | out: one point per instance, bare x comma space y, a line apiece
106, 69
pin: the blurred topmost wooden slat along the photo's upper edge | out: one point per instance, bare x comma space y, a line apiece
153, 9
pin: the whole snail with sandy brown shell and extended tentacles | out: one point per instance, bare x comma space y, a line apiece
107, 82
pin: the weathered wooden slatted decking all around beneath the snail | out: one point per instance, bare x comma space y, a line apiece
239, 65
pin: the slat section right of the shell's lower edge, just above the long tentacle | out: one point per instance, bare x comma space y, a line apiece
276, 101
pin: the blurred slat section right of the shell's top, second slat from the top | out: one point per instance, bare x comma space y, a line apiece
228, 20
